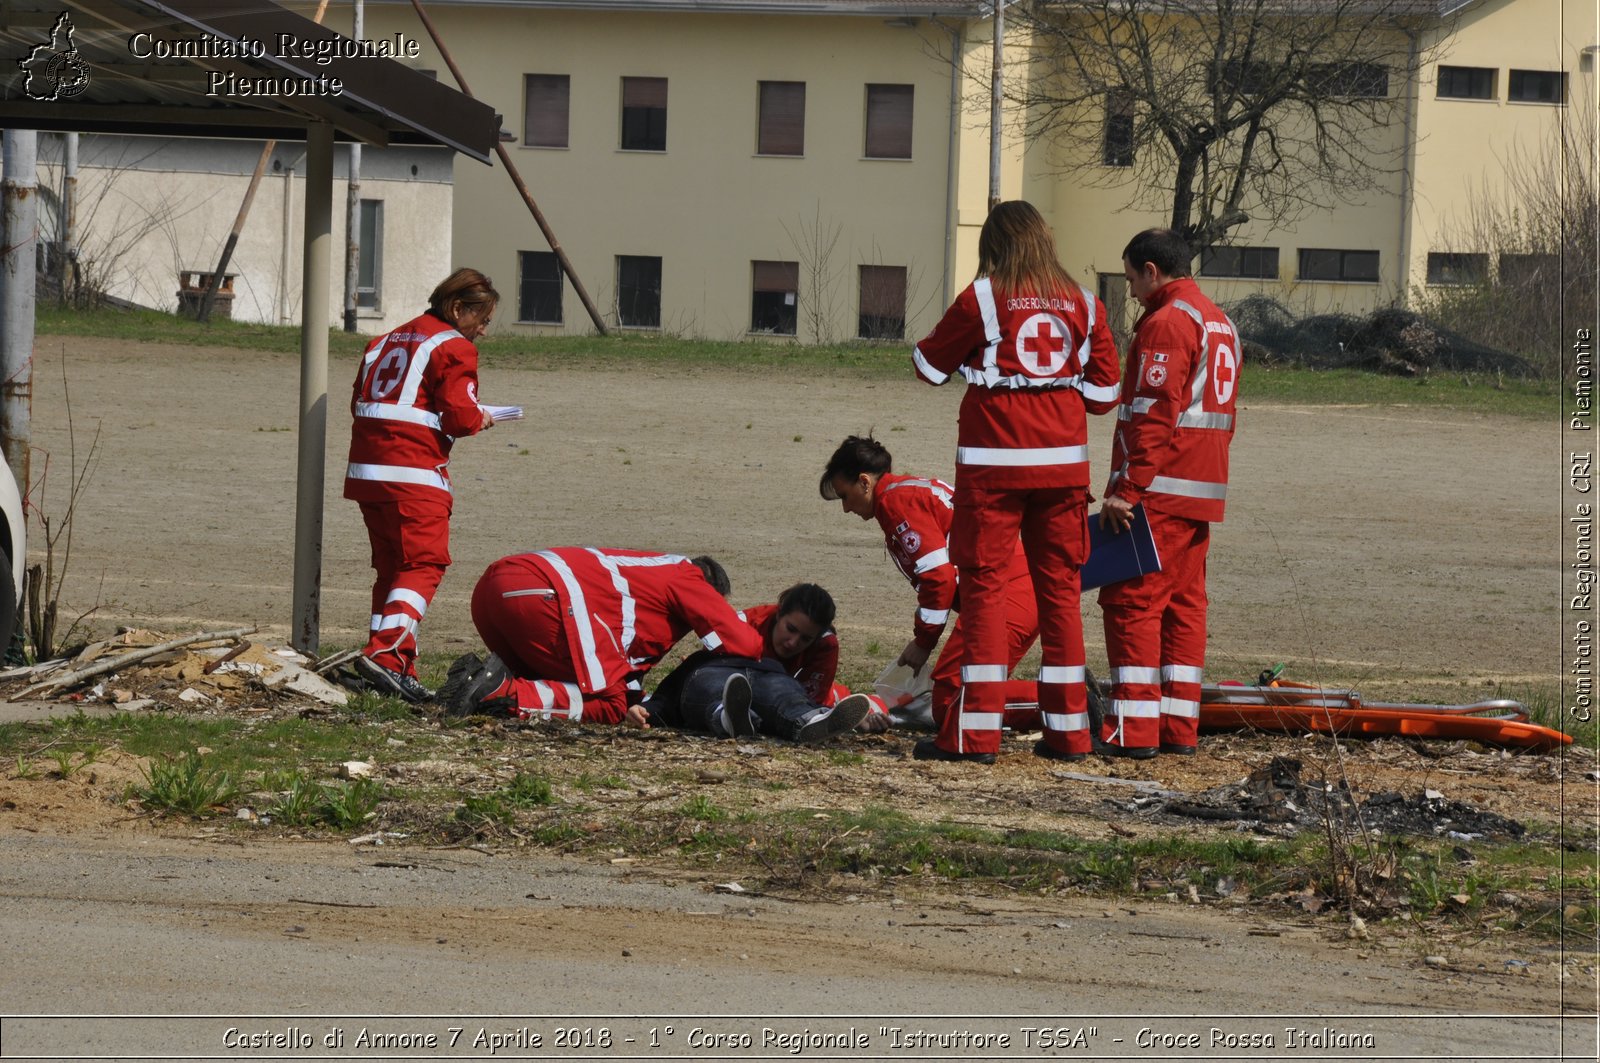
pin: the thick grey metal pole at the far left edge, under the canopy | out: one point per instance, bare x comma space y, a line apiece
18, 278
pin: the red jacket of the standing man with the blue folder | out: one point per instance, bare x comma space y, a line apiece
1180, 407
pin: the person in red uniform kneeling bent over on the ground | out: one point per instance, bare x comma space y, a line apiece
574, 630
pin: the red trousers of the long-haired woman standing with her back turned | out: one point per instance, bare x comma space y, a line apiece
983, 540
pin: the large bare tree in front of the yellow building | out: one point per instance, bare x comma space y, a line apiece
1228, 111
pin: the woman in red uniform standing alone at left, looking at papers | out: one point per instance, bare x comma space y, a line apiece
417, 393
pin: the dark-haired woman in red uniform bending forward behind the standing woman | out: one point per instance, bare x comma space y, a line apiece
916, 518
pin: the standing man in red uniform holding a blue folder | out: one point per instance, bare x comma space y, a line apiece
1177, 422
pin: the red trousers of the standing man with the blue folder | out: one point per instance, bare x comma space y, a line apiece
1156, 641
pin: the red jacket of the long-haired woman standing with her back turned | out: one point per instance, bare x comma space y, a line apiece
1033, 366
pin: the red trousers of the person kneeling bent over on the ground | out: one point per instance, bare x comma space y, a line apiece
521, 622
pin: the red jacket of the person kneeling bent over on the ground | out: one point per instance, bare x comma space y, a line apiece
623, 611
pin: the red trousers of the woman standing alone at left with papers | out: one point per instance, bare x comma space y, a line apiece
410, 545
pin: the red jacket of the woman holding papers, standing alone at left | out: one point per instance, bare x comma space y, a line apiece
415, 393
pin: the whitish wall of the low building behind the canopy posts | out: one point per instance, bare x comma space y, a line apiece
153, 207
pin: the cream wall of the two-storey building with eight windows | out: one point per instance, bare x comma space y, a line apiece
708, 206
